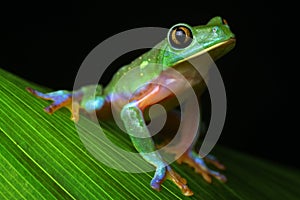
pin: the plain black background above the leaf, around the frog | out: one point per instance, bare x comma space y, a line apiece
47, 43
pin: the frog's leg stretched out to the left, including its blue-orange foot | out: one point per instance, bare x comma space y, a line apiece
88, 98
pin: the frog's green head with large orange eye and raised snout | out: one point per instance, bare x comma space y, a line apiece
185, 42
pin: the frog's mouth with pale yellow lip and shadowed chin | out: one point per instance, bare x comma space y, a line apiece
216, 51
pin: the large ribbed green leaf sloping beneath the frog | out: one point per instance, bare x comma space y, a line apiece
43, 157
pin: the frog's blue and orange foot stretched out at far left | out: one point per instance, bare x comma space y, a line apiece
61, 98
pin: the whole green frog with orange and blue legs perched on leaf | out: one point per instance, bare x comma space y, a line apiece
132, 98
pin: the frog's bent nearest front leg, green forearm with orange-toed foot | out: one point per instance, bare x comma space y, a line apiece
132, 116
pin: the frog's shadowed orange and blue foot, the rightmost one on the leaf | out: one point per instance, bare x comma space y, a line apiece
195, 161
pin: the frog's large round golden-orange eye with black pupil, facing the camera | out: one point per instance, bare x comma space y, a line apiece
180, 37
